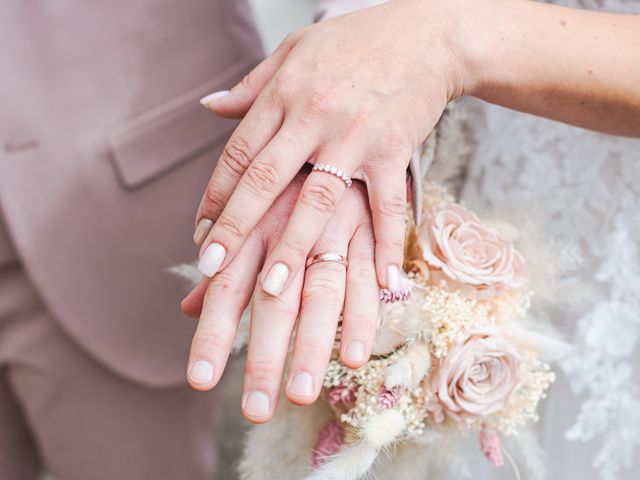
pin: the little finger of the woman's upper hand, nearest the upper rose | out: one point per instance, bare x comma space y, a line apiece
388, 200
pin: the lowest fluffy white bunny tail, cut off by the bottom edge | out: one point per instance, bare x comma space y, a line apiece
350, 463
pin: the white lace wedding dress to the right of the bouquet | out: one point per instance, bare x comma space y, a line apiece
583, 190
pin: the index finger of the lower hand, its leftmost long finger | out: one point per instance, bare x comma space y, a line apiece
226, 297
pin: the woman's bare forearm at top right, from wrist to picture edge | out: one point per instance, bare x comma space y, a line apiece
571, 65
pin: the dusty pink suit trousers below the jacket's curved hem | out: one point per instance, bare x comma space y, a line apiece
60, 407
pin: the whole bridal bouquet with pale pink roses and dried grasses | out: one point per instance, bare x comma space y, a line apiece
457, 359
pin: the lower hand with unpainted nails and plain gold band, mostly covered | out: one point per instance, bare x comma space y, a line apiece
317, 295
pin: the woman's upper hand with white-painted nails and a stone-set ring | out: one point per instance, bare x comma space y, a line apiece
358, 92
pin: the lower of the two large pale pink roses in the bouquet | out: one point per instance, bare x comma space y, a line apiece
477, 377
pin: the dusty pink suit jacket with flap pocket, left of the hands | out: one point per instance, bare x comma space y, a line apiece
104, 154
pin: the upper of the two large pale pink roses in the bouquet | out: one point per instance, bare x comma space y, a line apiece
467, 251
